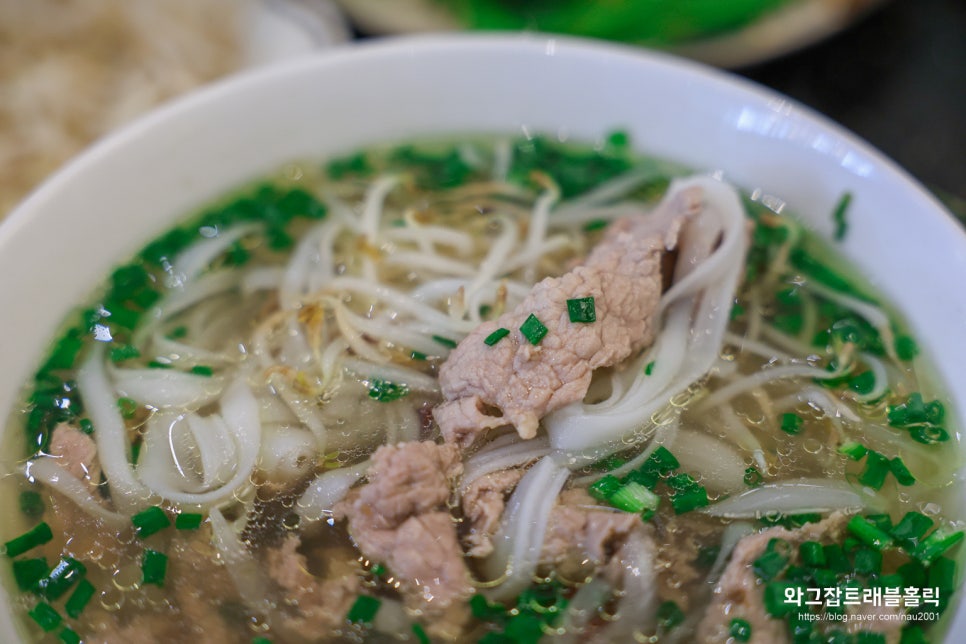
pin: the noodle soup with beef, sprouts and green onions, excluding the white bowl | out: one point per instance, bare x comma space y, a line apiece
490, 390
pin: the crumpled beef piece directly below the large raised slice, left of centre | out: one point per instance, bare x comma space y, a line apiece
399, 517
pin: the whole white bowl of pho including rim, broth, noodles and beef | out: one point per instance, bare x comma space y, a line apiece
482, 339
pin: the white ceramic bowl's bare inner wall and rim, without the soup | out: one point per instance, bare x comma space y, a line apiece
129, 188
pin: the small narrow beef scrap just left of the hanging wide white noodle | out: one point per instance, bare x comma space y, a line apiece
483, 503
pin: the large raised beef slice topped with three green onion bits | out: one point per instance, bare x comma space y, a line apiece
515, 382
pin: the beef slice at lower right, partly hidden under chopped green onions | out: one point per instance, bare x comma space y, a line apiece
739, 592
